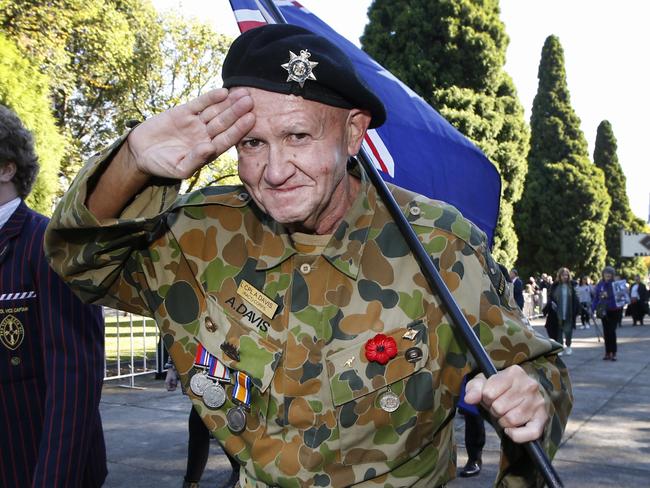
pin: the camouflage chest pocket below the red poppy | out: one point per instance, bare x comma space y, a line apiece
367, 432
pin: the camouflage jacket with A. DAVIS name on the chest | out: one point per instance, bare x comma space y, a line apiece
315, 418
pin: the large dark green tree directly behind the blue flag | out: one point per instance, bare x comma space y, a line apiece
452, 52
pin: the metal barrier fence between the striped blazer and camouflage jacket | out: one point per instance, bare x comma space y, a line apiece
133, 346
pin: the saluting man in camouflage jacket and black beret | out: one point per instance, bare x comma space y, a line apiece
308, 338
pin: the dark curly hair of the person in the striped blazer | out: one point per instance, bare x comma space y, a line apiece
17, 146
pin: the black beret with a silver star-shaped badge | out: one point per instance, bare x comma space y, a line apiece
288, 59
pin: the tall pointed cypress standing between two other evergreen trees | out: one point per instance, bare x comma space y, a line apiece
561, 217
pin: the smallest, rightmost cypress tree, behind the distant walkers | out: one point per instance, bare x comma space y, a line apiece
620, 214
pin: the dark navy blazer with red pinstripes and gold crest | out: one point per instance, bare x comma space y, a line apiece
51, 368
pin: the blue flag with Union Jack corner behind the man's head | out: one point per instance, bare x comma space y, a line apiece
416, 148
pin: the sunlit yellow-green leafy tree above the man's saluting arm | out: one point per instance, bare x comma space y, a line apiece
113, 60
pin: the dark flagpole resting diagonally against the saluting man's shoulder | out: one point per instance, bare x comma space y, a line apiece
439, 287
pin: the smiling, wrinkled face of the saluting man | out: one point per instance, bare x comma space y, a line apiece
293, 161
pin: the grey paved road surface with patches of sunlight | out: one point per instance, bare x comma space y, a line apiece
607, 442
